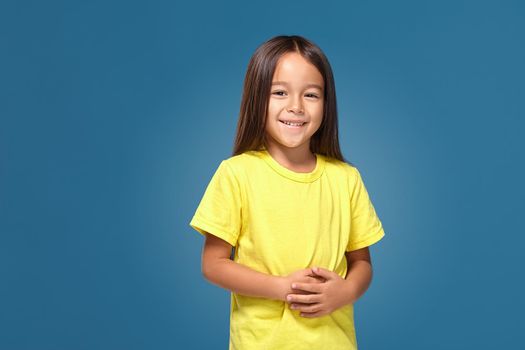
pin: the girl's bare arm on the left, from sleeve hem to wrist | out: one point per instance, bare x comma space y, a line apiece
223, 272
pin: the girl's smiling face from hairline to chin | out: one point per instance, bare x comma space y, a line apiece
296, 96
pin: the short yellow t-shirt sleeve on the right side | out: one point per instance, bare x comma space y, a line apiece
365, 226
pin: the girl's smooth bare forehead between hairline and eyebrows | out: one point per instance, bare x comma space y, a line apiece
294, 69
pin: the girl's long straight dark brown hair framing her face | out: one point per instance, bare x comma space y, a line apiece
256, 93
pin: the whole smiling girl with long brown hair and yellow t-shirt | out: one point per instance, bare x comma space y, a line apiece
296, 212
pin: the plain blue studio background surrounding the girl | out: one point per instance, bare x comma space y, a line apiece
115, 114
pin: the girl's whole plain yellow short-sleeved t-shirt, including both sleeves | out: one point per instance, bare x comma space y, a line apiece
281, 221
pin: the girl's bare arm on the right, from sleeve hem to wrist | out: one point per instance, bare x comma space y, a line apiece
359, 274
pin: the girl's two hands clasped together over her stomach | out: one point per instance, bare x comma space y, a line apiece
316, 291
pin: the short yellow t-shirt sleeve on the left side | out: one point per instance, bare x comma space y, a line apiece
219, 211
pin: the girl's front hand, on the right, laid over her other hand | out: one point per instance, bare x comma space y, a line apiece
324, 298
